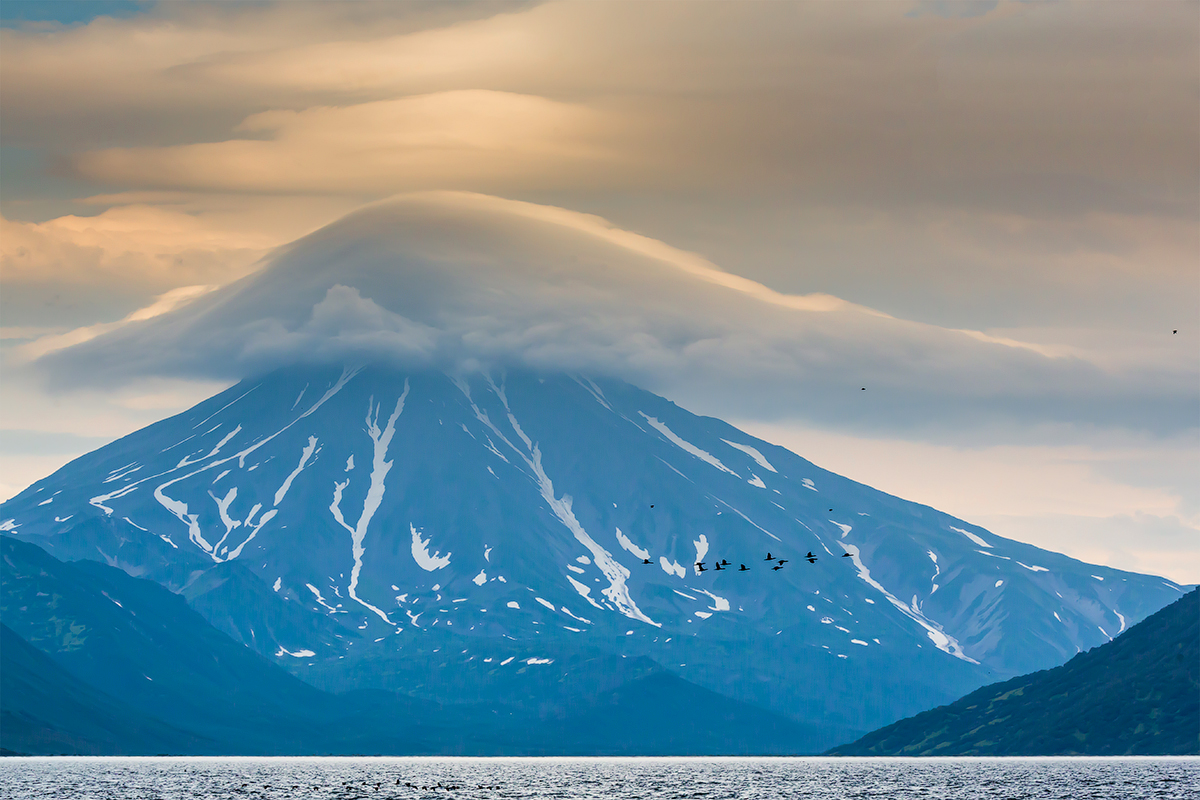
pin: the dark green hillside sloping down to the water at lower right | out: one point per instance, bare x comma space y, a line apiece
1138, 695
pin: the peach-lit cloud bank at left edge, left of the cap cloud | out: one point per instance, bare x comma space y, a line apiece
82, 270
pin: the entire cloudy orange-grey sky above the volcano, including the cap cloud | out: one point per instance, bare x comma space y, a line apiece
986, 214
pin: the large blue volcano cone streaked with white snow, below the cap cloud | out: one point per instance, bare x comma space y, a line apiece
517, 538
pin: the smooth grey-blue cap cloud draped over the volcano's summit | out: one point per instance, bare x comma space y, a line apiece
448, 280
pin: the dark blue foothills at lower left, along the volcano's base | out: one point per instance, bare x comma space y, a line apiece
117, 665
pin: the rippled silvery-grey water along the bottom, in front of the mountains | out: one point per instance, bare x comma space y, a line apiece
712, 779
